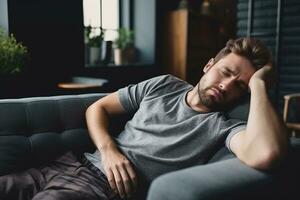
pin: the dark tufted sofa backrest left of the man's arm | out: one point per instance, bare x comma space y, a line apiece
36, 130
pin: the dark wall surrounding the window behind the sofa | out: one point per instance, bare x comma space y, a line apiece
53, 32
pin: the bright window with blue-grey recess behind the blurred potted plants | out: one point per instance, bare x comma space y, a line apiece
110, 15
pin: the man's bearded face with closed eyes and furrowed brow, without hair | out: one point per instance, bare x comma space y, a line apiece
224, 82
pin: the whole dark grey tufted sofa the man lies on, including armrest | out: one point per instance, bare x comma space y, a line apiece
36, 130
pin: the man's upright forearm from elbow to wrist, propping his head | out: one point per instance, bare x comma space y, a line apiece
266, 136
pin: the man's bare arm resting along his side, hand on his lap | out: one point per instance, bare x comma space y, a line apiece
119, 171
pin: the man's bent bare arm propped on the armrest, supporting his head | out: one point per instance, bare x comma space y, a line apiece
265, 140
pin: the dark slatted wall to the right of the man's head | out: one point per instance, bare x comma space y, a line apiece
278, 25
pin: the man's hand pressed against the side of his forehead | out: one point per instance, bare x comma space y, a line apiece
265, 74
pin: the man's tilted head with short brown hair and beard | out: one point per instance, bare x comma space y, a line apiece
226, 77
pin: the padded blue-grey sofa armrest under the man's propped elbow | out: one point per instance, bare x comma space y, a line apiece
227, 178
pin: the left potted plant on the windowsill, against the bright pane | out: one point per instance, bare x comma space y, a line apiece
93, 42
